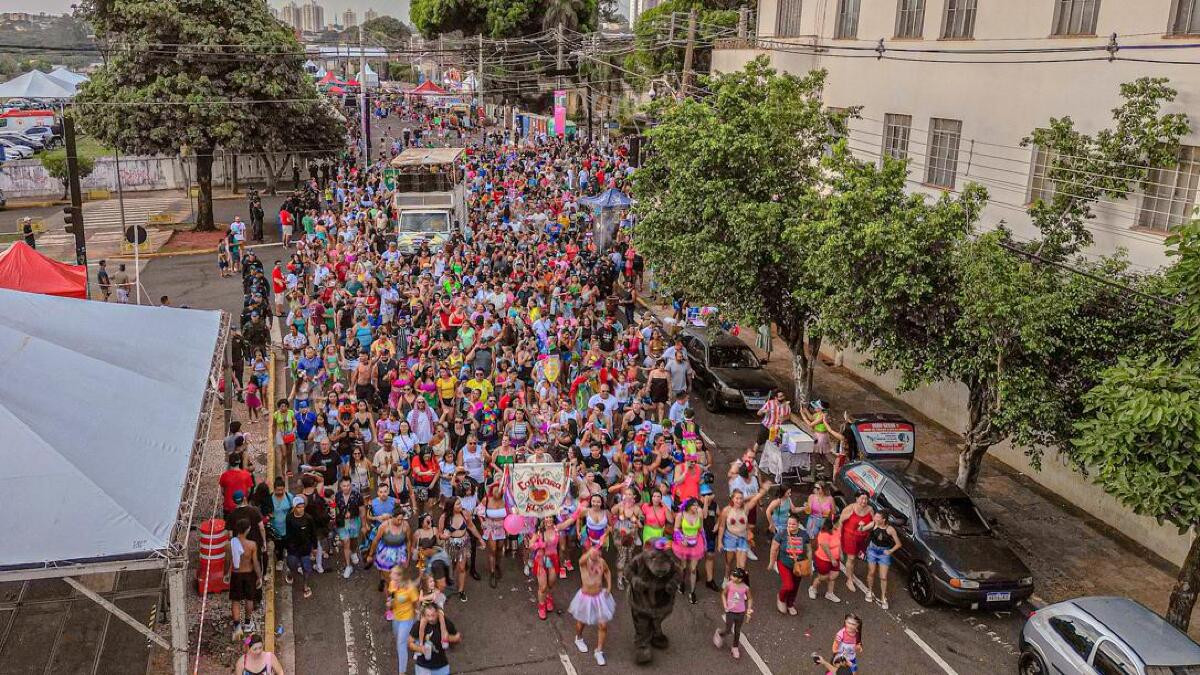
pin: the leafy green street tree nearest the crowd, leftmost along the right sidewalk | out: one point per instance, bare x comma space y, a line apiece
721, 194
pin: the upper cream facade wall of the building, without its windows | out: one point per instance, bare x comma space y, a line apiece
998, 104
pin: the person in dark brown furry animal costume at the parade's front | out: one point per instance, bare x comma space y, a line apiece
653, 584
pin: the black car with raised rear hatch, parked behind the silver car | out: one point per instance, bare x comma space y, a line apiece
951, 552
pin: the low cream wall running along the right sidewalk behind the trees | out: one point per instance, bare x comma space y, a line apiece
946, 404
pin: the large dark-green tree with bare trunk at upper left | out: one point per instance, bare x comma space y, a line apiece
197, 76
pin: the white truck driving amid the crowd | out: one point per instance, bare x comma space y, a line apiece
430, 196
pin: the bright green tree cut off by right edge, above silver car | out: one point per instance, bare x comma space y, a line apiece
1139, 441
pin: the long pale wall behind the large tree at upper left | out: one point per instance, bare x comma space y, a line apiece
27, 178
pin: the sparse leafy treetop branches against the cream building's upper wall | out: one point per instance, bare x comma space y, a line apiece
1084, 169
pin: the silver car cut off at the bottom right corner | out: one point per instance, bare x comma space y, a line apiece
1107, 636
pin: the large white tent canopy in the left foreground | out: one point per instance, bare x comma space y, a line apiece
99, 411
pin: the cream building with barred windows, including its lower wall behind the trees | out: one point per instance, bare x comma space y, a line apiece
945, 83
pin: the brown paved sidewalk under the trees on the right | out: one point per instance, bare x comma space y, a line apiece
1071, 553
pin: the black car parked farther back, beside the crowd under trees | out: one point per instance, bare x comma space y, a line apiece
729, 375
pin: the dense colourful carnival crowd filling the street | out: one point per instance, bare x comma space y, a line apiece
413, 381
